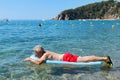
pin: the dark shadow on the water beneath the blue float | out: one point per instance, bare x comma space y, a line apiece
67, 69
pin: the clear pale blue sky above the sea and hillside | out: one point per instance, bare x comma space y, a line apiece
37, 9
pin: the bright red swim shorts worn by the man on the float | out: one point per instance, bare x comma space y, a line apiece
70, 57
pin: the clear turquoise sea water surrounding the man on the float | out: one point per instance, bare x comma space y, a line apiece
83, 37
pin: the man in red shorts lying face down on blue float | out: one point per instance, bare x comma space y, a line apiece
44, 55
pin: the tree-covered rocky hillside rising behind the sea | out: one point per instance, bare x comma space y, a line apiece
101, 10
